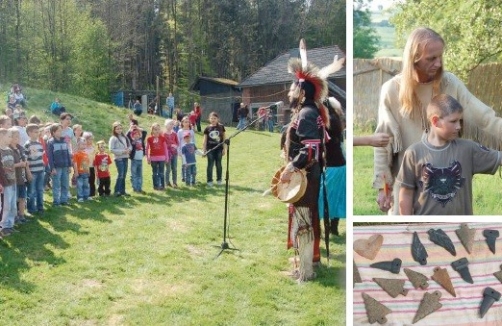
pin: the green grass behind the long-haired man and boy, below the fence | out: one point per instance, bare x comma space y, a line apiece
486, 188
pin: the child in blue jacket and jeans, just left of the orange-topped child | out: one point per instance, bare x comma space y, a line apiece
60, 164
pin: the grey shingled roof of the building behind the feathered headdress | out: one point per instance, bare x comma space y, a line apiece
276, 71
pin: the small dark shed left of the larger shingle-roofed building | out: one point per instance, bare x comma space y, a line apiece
220, 95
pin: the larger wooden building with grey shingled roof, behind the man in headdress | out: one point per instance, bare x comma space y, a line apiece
270, 84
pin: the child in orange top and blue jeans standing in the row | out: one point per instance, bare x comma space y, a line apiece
81, 164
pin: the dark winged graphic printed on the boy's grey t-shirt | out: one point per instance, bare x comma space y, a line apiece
442, 184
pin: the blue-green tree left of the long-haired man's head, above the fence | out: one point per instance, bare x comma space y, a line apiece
366, 39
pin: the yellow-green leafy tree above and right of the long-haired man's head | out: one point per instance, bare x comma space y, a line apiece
471, 29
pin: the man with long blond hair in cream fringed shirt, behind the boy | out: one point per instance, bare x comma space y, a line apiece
402, 110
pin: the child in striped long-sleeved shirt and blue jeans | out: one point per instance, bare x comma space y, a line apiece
35, 152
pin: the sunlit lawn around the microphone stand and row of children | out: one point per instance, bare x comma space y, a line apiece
151, 259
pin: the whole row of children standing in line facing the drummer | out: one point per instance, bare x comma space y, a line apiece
49, 154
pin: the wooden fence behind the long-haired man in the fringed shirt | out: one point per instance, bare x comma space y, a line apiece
484, 82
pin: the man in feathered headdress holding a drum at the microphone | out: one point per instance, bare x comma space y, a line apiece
303, 148
